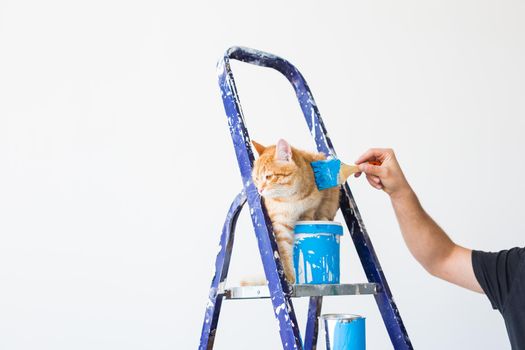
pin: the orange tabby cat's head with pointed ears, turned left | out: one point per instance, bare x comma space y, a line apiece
275, 174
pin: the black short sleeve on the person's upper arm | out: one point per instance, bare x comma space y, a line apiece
495, 273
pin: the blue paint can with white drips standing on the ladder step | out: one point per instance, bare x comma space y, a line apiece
316, 252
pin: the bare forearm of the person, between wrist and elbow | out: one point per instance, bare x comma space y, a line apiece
427, 242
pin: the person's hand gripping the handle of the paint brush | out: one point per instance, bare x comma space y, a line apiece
388, 176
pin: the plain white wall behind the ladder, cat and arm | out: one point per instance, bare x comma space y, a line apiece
116, 165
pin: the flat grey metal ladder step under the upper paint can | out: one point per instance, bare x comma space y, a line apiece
302, 290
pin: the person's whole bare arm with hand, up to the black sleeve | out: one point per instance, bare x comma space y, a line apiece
427, 242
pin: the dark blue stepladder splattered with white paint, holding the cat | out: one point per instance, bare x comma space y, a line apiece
278, 290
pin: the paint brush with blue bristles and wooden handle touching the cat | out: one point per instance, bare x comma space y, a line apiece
332, 172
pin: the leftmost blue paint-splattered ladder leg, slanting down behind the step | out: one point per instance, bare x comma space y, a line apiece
222, 263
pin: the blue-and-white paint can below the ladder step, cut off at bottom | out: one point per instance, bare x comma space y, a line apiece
344, 331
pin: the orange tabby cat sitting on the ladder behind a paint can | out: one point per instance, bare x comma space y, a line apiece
285, 180
